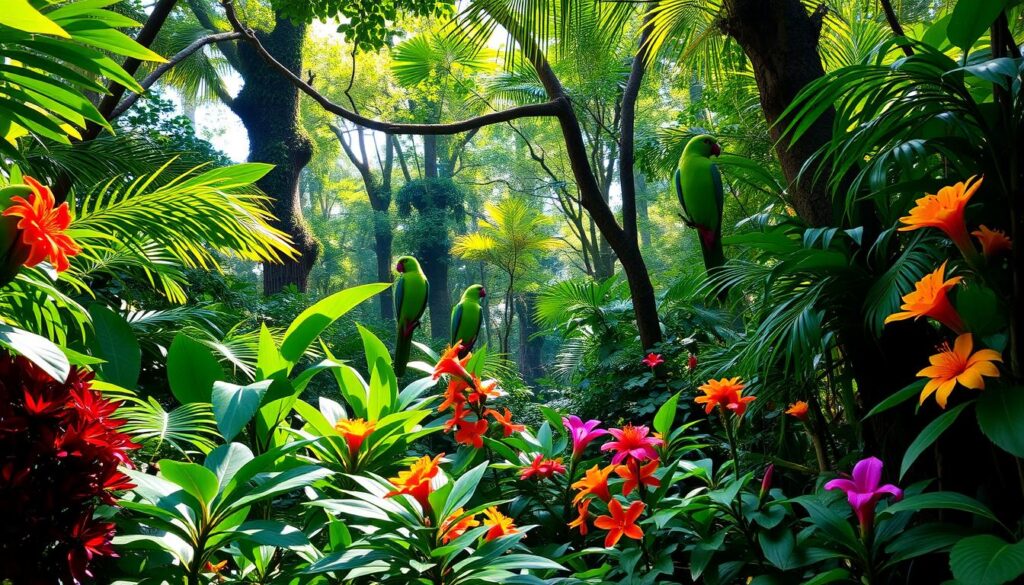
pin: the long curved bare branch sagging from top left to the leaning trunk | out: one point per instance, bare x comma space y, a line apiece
556, 108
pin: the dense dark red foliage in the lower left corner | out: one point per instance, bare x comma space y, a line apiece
60, 452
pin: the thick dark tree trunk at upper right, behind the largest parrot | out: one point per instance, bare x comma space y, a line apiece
781, 39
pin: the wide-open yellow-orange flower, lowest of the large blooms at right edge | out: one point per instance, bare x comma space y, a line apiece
959, 365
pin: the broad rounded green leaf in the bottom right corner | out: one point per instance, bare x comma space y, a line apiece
987, 560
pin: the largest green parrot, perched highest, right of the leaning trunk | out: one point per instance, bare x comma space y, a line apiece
699, 186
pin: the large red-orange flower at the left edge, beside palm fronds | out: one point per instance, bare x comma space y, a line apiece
42, 227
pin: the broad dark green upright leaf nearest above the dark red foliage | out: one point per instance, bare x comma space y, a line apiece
115, 343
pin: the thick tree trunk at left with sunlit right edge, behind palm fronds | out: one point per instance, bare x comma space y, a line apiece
269, 107
